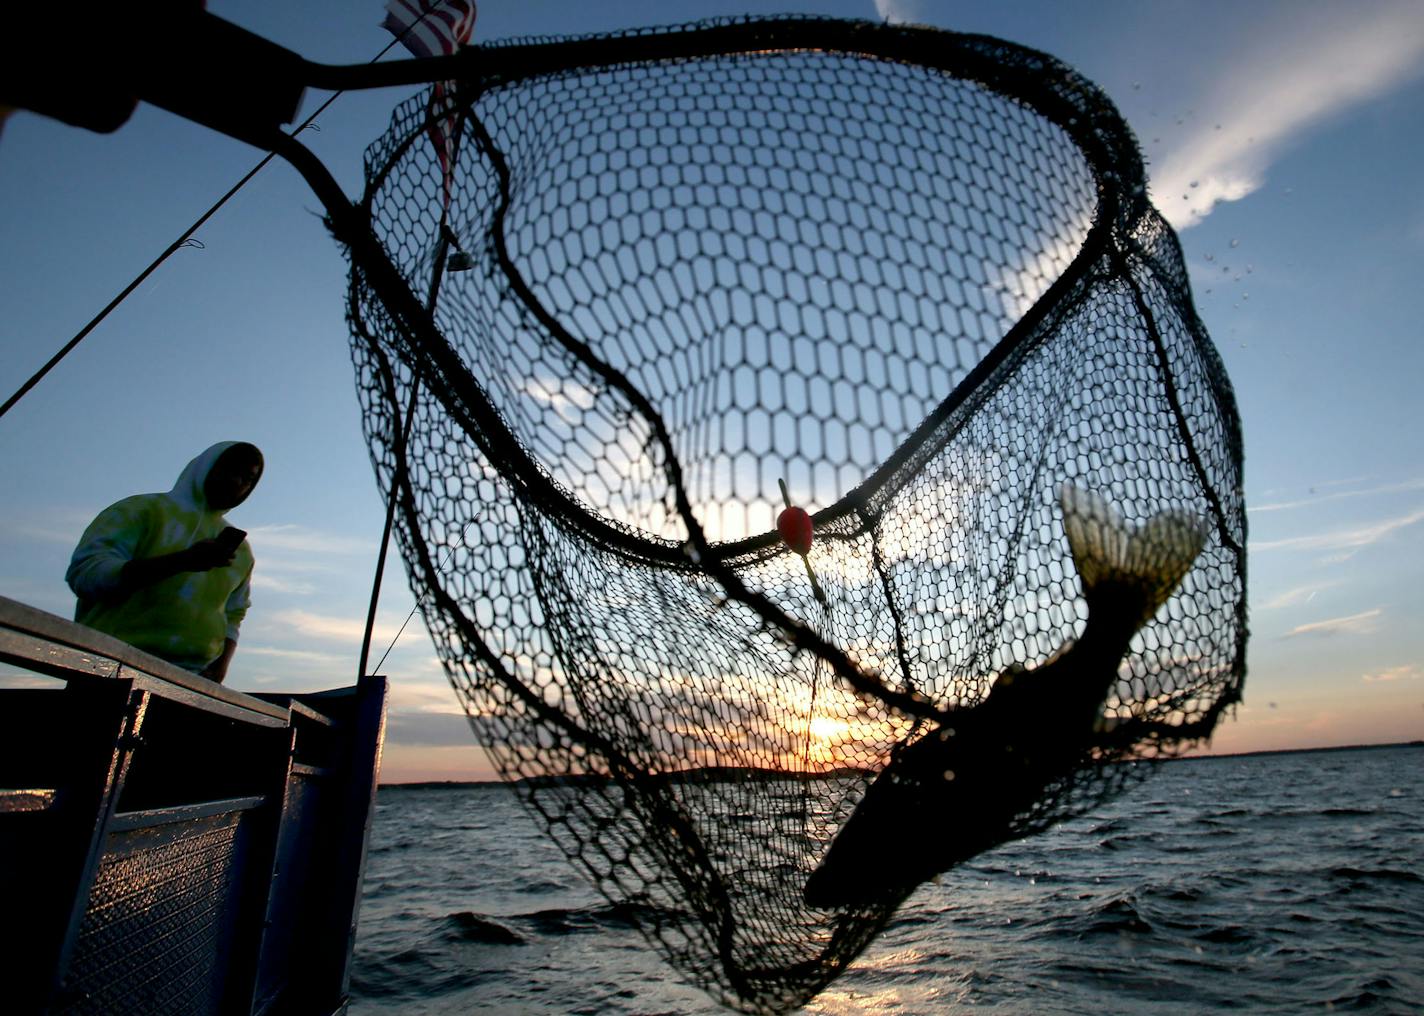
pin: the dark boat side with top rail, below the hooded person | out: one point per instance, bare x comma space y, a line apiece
173, 846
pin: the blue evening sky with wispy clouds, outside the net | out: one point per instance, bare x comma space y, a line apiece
1284, 142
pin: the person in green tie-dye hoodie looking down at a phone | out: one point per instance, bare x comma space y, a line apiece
153, 572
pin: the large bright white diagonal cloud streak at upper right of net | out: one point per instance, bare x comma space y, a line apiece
1281, 90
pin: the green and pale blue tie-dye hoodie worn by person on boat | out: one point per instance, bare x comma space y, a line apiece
184, 619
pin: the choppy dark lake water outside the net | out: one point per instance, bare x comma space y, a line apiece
1271, 884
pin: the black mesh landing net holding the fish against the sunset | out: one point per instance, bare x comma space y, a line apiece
912, 276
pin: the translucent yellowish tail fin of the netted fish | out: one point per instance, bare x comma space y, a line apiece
1151, 559
